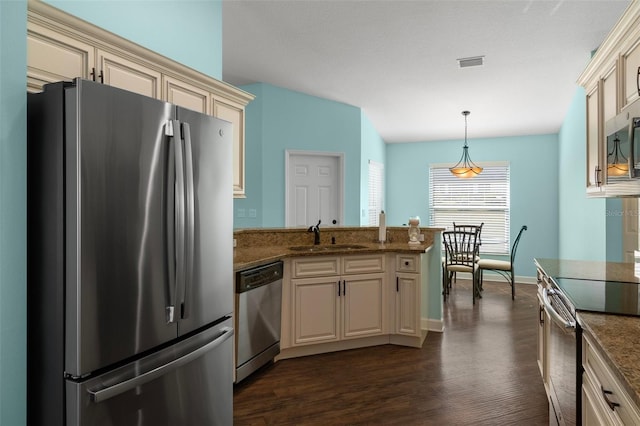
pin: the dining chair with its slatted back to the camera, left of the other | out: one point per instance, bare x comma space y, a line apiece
460, 250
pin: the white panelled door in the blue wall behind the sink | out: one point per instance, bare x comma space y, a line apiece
314, 189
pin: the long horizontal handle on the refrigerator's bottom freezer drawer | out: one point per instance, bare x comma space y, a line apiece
115, 390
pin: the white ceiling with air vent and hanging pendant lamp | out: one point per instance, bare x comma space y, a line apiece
397, 59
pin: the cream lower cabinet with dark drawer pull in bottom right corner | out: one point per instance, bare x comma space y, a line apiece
604, 401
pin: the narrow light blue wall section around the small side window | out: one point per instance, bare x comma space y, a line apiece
372, 148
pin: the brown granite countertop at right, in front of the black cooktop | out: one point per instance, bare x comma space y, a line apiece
617, 339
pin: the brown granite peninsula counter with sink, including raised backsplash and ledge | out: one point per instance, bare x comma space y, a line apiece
255, 247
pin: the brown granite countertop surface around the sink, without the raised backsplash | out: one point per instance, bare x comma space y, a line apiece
249, 257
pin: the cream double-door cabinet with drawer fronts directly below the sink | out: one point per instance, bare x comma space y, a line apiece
347, 304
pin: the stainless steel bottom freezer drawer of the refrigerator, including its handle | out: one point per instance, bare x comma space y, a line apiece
189, 383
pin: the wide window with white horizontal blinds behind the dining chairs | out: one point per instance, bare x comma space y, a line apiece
482, 199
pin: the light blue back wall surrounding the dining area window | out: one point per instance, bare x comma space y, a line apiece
534, 191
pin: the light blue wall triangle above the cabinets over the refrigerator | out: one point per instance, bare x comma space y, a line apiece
187, 31
